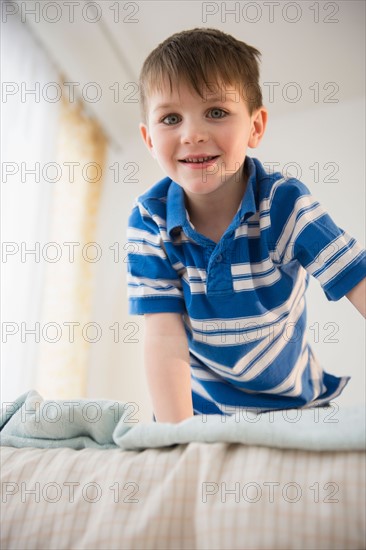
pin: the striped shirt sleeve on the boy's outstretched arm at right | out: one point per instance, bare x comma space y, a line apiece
302, 230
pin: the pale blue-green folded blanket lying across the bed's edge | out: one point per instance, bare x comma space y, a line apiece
31, 421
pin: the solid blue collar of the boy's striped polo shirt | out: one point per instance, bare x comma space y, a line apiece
176, 210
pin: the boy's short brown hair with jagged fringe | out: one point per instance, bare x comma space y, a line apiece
202, 56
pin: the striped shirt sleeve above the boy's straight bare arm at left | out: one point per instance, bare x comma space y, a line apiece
153, 285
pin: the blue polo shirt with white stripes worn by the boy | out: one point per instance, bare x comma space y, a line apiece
242, 300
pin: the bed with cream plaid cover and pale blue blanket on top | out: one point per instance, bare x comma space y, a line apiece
208, 483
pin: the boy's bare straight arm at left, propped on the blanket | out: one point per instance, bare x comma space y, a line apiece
166, 358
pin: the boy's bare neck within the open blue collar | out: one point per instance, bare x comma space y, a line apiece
214, 212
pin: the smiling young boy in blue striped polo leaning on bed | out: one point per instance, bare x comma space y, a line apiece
221, 251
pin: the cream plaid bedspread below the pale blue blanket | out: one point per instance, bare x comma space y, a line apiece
187, 496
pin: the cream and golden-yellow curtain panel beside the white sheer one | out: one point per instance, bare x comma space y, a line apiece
69, 329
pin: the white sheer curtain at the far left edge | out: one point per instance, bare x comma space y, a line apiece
29, 129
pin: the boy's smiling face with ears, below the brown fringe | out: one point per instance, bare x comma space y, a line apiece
183, 127
